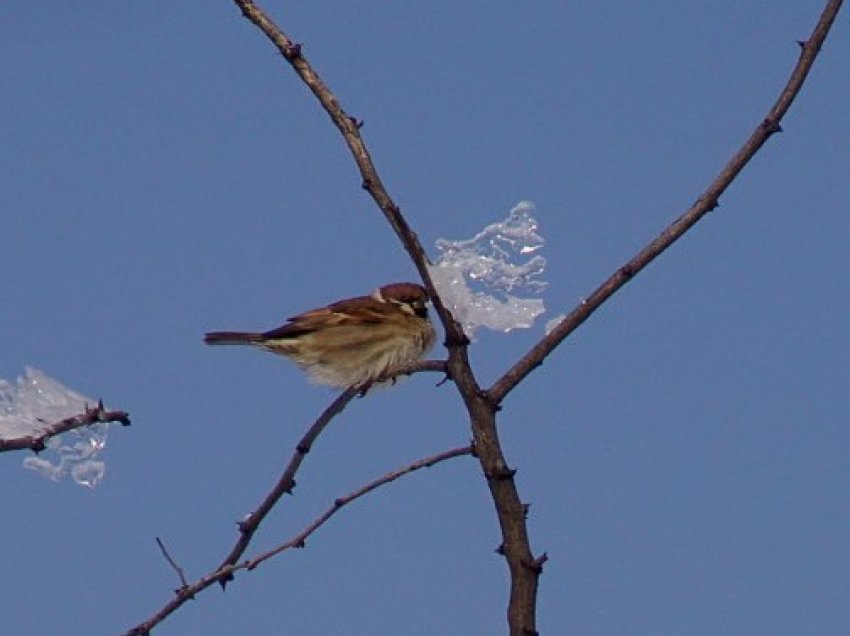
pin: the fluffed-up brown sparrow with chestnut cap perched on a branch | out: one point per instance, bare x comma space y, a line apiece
353, 342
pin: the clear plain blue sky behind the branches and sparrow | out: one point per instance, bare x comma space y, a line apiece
685, 453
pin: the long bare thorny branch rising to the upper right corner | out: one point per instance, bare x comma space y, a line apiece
707, 201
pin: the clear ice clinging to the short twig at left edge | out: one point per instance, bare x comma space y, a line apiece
34, 402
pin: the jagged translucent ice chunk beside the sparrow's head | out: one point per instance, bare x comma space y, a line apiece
490, 279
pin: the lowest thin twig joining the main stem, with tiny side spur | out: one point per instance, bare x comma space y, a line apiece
225, 572
